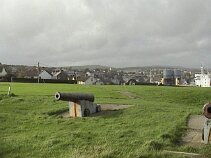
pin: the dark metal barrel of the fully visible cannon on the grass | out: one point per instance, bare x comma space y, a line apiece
74, 97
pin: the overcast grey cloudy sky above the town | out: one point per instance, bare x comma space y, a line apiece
117, 33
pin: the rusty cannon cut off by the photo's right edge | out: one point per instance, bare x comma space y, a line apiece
206, 132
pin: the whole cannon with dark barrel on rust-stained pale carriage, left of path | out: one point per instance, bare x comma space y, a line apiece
80, 104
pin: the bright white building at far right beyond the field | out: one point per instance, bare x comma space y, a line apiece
202, 80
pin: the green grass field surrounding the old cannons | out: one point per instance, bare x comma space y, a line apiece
31, 128
